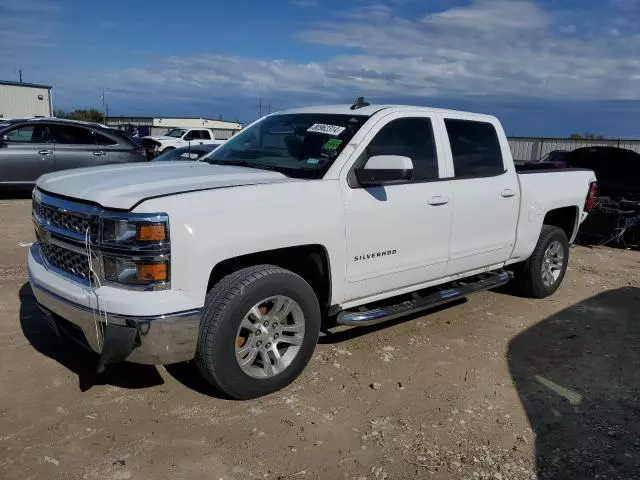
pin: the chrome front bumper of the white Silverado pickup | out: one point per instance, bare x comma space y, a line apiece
161, 339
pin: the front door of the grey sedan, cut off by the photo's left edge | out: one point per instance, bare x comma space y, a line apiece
27, 153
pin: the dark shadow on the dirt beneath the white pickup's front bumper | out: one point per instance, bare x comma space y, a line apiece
76, 358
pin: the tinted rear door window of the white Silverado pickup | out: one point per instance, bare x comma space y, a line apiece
475, 148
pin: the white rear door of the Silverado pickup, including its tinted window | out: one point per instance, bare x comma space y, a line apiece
486, 194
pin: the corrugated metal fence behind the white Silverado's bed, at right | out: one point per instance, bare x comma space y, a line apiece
531, 148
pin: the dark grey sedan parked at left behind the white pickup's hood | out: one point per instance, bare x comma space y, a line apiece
33, 147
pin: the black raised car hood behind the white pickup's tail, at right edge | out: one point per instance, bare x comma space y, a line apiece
617, 169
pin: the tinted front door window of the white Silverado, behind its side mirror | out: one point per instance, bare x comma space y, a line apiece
408, 137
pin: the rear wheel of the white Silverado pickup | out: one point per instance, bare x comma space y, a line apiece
541, 275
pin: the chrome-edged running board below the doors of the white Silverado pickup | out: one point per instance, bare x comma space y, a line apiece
428, 298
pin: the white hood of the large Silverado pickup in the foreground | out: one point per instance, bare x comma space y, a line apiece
124, 186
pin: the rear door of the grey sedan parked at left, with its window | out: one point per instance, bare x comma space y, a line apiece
76, 147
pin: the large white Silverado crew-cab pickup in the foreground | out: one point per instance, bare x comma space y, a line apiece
307, 218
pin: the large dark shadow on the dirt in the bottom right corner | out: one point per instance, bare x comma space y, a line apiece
578, 377
